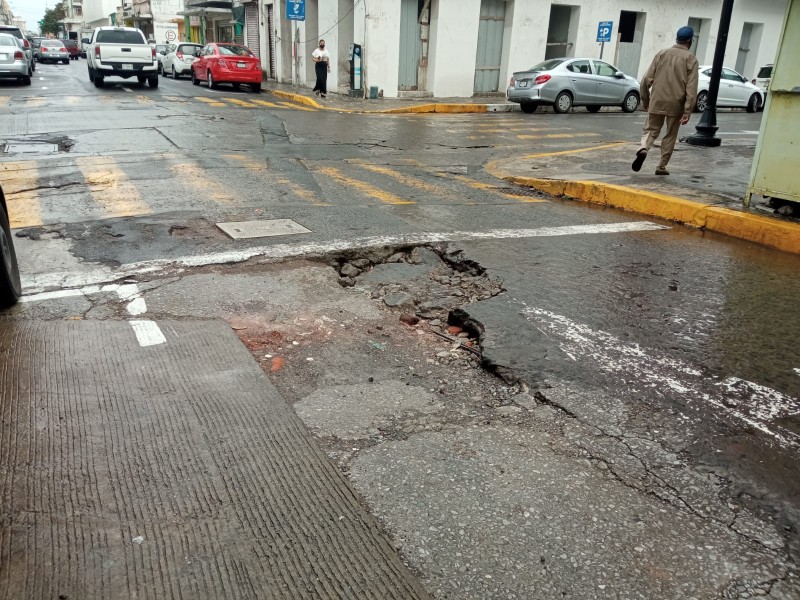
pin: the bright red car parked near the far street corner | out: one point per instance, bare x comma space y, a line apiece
227, 63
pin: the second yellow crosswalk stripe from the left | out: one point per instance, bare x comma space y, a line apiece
110, 187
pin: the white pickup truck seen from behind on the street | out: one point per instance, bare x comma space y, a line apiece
121, 52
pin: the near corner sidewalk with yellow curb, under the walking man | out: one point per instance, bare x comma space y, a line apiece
704, 190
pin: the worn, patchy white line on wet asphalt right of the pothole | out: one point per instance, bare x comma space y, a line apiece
758, 406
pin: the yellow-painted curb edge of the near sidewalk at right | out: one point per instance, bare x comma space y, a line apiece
773, 233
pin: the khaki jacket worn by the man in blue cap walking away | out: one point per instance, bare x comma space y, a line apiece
670, 85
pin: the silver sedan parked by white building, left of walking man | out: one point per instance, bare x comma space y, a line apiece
567, 82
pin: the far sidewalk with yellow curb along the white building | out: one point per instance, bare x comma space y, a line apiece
341, 103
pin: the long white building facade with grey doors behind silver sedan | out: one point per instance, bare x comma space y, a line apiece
462, 48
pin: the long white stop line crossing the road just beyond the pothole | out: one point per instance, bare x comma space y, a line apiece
41, 282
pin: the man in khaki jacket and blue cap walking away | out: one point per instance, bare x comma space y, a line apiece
669, 92
